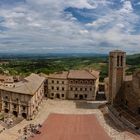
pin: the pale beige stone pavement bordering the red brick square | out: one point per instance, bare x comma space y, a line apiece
67, 107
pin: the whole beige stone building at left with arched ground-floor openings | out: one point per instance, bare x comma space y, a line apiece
24, 97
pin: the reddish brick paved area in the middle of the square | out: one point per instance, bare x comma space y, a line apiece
71, 127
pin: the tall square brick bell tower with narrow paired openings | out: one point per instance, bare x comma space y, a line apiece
117, 62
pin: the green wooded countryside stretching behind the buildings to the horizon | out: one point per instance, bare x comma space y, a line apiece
26, 66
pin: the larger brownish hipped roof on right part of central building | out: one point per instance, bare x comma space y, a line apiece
82, 74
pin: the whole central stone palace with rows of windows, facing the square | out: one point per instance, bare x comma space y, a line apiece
74, 84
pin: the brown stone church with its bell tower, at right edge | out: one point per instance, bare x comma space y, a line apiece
120, 89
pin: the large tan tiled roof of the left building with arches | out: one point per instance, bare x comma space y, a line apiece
28, 85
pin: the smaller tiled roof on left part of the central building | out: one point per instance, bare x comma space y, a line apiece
59, 75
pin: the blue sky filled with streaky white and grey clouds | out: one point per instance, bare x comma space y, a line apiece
69, 26
